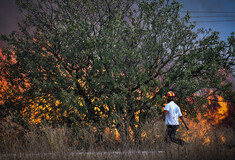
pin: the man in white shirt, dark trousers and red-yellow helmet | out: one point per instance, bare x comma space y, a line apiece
171, 114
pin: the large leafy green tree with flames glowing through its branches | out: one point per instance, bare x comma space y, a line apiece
126, 55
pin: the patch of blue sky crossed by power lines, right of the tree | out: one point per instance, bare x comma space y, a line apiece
219, 15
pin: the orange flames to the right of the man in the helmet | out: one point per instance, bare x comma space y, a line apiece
204, 129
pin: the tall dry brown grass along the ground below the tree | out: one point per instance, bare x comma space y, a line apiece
72, 143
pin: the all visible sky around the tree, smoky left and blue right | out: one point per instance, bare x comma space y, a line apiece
219, 15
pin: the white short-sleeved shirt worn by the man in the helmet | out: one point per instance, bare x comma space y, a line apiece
174, 112
